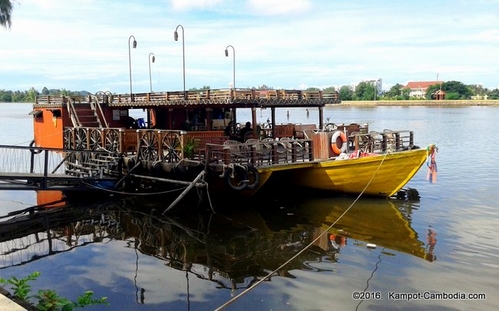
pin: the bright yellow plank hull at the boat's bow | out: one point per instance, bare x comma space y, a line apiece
379, 175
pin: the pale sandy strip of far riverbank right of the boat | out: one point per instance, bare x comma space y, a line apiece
437, 103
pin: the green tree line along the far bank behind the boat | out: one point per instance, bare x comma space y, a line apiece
364, 91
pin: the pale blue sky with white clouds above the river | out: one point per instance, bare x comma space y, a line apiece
292, 44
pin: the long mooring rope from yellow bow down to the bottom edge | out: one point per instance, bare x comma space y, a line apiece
305, 248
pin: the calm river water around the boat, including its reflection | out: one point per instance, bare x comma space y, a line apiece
384, 254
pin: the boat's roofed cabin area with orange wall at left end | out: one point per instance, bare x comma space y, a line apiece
59, 122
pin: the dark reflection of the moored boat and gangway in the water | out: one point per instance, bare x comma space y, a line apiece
233, 247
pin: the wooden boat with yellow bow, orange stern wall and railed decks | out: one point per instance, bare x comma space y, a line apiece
182, 143
